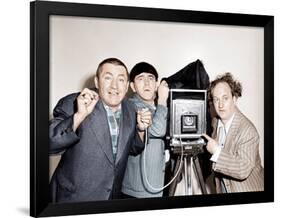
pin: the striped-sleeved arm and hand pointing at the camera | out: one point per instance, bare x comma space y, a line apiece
239, 164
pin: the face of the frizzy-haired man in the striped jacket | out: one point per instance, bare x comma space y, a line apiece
224, 102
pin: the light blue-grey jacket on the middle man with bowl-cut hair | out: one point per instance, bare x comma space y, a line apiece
134, 183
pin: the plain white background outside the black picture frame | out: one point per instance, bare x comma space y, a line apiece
14, 110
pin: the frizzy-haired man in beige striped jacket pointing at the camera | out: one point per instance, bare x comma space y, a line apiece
235, 141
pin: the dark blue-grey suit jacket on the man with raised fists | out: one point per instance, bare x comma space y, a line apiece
87, 171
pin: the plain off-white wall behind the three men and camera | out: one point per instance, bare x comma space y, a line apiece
79, 44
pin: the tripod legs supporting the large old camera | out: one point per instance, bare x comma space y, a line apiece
188, 155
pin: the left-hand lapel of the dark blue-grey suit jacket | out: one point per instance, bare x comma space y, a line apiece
100, 128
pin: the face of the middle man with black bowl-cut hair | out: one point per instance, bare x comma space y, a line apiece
145, 86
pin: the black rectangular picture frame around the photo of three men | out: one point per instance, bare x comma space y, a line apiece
39, 106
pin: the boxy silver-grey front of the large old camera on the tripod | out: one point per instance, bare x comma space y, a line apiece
188, 116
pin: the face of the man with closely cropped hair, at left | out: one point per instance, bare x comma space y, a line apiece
113, 84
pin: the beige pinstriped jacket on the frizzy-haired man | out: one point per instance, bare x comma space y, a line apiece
239, 163
